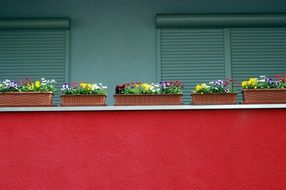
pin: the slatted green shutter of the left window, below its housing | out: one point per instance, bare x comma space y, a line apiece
34, 54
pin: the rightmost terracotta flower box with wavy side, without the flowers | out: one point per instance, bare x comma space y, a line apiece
264, 96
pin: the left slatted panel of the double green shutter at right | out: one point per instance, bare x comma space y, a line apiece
191, 56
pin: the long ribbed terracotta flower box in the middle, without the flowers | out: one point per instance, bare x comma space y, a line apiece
147, 99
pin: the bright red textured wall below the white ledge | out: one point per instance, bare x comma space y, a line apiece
187, 149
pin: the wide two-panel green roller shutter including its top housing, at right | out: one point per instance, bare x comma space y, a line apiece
193, 49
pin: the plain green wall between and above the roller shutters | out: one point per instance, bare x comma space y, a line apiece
113, 41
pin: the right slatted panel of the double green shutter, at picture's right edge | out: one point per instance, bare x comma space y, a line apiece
257, 51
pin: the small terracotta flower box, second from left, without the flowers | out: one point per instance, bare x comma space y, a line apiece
83, 100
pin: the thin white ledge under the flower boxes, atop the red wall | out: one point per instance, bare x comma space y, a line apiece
139, 108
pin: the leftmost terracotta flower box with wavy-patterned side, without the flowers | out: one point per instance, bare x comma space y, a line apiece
19, 99
